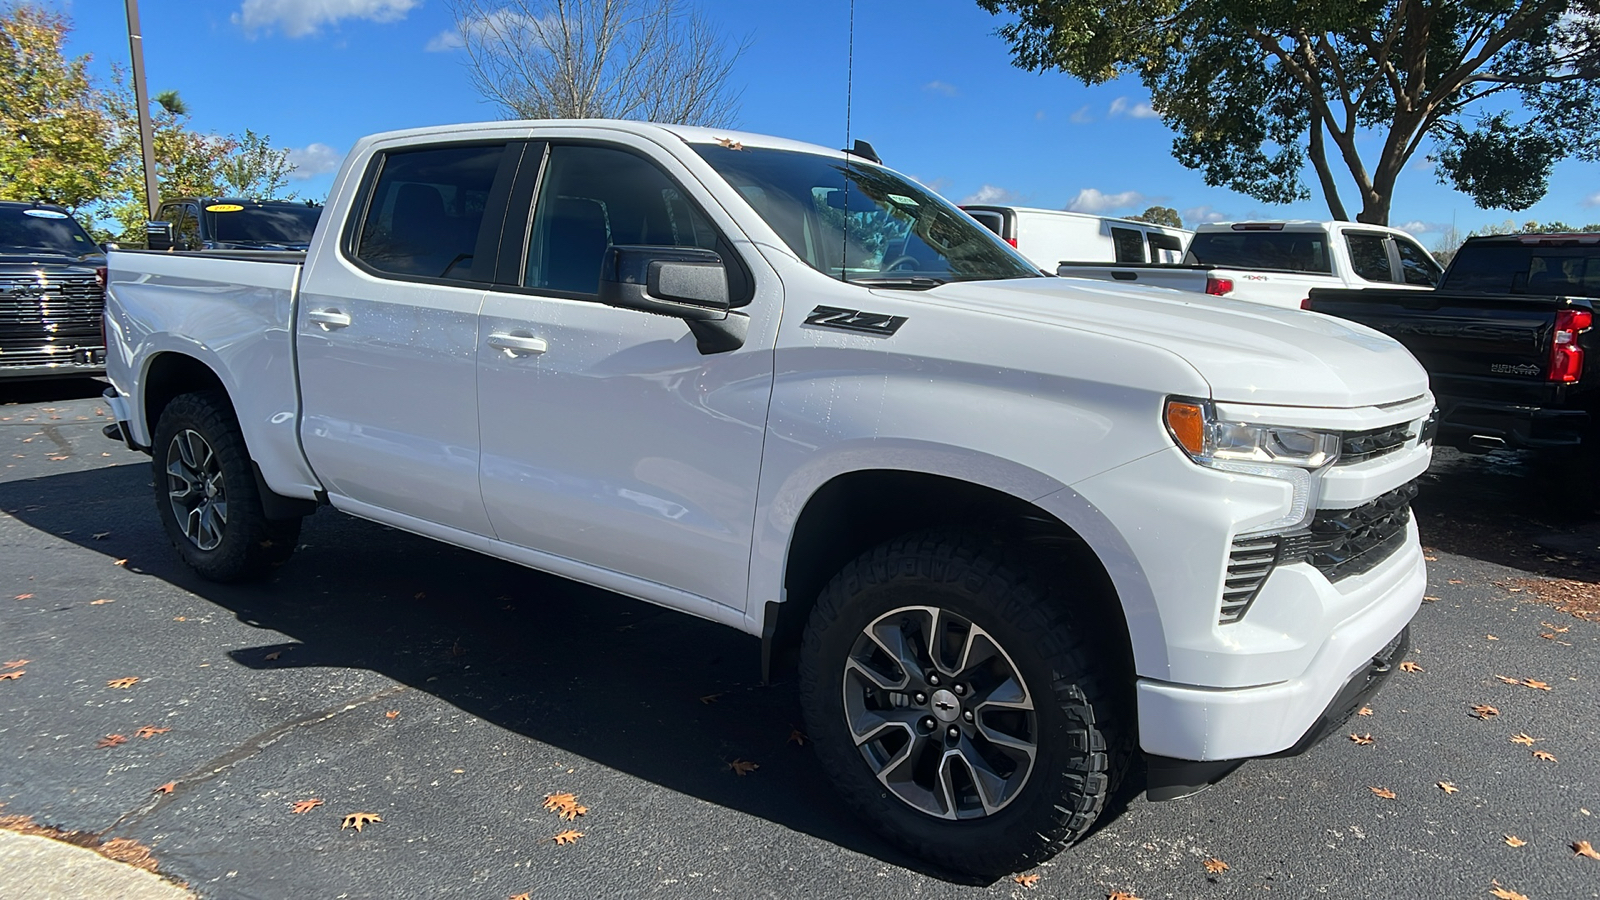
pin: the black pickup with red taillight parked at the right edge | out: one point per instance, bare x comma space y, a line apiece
1506, 340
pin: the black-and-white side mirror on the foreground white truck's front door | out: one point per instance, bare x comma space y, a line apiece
682, 283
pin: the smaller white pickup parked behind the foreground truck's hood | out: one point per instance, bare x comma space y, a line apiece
1279, 263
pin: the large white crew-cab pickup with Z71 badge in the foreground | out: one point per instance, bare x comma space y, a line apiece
1010, 529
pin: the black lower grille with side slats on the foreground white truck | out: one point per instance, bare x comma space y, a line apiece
1338, 542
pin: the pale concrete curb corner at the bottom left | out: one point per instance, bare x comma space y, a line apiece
41, 869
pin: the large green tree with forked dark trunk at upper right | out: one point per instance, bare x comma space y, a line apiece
1255, 89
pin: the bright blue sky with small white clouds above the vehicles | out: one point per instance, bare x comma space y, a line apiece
935, 92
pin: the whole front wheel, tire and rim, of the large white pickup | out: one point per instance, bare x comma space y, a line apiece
959, 704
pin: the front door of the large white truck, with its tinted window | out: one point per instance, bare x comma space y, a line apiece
607, 436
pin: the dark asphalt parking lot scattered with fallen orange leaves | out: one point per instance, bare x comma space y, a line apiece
450, 694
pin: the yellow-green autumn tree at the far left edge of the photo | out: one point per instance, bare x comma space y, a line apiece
55, 137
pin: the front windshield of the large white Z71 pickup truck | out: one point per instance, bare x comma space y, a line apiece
862, 223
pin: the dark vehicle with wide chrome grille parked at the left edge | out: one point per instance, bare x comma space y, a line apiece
52, 294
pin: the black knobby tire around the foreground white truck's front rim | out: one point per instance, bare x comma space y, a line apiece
1081, 710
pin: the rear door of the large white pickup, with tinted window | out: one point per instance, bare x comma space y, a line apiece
390, 331
